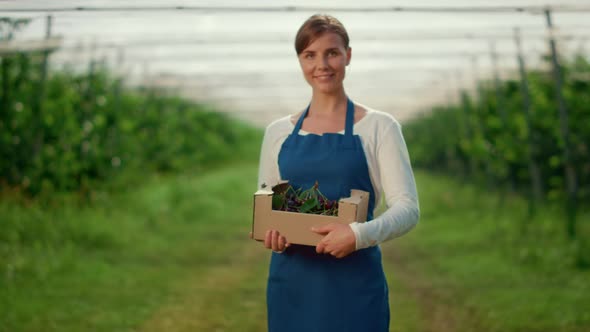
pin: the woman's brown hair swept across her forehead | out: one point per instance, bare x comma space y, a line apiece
317, 25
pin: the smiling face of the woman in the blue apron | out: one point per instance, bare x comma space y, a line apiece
324, 61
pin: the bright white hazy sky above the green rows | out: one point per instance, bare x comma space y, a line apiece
245, 63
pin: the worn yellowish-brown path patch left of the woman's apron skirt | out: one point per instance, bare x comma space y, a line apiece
225, 297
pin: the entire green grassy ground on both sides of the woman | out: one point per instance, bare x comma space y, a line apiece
172, 254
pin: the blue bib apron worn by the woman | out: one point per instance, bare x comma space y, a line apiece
310, 292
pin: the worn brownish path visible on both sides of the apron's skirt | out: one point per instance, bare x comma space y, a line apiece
230, 296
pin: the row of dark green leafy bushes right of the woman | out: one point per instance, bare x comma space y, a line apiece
487, 137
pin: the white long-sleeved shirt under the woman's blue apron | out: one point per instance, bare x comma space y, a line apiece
389, 169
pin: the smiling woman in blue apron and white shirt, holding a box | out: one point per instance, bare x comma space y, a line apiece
339, 285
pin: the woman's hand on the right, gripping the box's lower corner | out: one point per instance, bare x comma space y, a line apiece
338, 242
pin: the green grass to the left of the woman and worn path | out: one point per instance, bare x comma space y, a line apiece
109, 265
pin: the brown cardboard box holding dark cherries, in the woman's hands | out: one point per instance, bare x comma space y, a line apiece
296, 226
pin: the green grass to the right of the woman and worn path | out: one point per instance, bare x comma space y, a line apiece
470, 246
